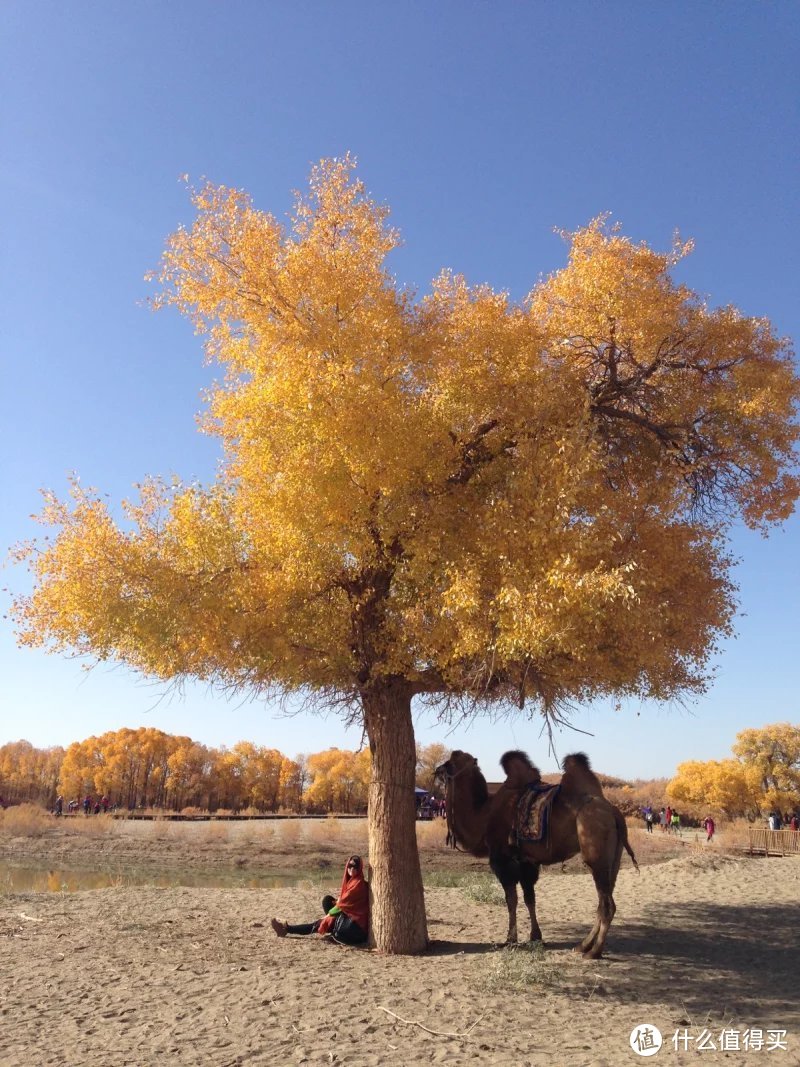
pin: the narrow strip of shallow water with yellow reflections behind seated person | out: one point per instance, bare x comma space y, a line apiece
31, 880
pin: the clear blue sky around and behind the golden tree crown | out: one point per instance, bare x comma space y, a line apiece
484, 126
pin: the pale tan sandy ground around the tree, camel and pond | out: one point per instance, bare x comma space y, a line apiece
702, 943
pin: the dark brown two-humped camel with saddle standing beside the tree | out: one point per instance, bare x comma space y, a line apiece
582, 821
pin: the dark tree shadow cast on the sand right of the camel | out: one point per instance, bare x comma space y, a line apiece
740, 961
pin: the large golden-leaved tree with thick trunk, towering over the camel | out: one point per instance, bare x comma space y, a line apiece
451, 498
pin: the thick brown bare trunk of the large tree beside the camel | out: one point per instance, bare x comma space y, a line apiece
397, 901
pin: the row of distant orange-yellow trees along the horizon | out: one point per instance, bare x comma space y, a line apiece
149, 769
